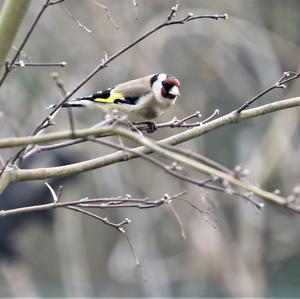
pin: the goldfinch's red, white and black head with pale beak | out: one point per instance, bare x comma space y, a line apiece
165, 87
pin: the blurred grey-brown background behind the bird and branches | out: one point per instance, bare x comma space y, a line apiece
221, 64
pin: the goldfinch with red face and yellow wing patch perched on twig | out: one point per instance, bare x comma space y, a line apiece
144, 98
